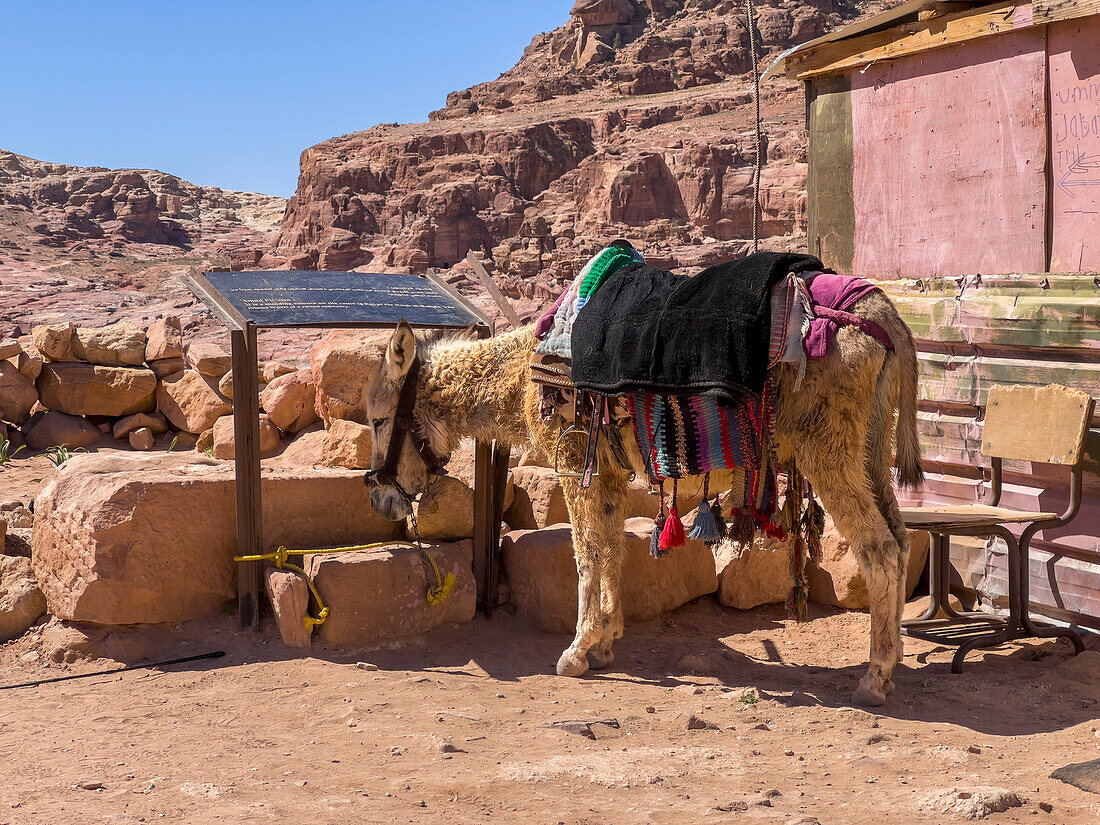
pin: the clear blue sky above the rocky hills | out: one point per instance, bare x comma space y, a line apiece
228, 94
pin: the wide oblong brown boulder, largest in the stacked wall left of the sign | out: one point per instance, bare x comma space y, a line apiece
92, 390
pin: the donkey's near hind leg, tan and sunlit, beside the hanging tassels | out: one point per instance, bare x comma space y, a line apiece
846, 493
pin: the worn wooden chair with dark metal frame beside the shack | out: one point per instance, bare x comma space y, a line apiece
1042, 425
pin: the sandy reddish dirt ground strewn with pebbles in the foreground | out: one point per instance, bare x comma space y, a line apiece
469, 724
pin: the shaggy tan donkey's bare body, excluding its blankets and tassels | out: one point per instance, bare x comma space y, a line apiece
838, 427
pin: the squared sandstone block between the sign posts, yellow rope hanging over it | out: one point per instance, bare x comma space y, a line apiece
381, 595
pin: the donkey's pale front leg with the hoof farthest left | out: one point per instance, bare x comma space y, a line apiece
588, 553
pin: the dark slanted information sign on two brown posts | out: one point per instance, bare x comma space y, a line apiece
247, 302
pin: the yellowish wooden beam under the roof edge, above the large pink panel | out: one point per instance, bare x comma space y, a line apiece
910, 39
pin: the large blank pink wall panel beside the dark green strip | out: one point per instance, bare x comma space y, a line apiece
948, 160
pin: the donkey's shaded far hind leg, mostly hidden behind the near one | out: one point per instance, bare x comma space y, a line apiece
879, 438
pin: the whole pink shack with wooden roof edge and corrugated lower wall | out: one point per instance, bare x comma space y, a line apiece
955, 157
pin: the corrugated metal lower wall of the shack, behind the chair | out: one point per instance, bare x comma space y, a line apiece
1014, 329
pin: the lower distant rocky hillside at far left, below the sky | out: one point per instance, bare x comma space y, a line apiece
94, 245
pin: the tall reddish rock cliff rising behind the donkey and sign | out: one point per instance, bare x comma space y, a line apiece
634, 119
